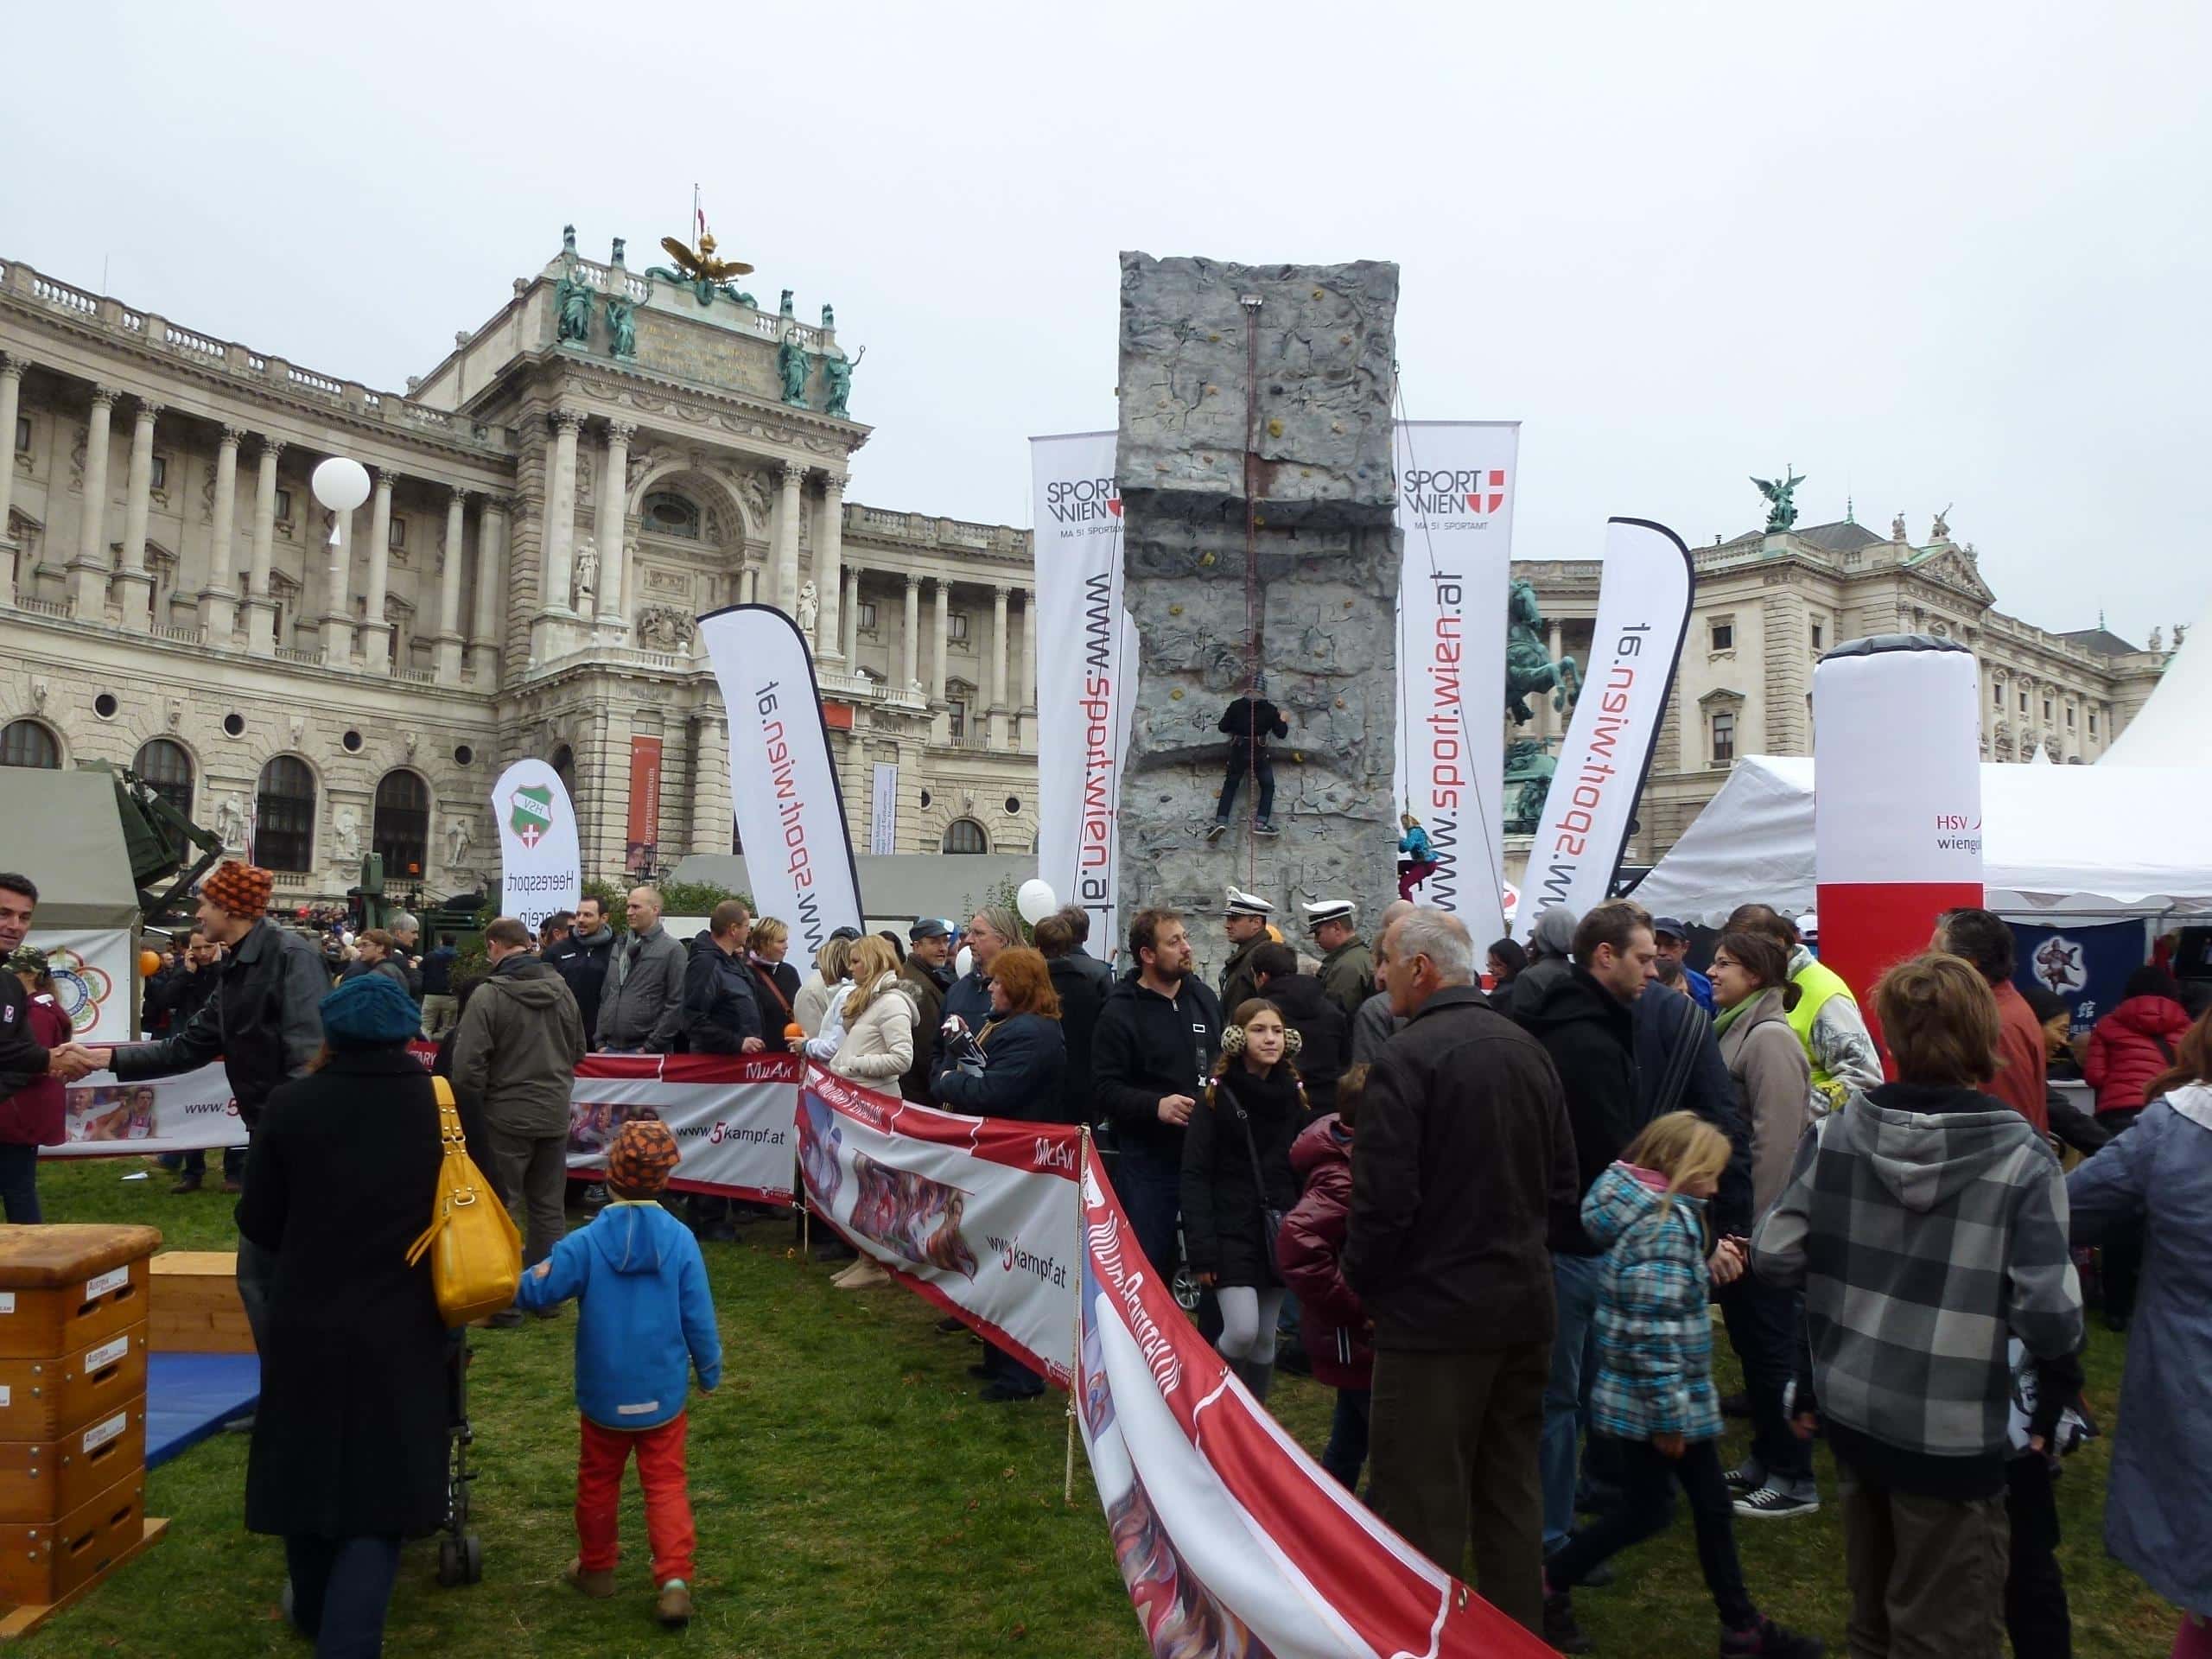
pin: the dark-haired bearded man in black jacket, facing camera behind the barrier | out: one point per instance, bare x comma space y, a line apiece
1149, 1061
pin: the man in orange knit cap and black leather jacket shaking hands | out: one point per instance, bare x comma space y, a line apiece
264, 1023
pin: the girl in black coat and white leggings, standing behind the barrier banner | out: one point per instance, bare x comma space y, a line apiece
1238, 1185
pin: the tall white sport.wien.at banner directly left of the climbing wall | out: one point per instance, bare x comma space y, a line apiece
1087, 674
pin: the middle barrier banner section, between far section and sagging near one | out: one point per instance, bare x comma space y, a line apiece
974, 1213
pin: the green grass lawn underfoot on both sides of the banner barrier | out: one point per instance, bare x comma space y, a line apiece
855, 1499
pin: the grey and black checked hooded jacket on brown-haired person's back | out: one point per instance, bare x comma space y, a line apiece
1926, 1229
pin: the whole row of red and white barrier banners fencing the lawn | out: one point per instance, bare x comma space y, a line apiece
1233, 1543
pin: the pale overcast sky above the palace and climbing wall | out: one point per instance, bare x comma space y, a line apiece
1928, 255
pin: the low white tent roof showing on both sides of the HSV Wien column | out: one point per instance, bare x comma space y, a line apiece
2056, 837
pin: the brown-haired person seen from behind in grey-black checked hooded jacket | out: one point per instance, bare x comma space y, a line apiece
1928, 1227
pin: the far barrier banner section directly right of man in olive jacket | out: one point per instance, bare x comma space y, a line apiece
731, 1118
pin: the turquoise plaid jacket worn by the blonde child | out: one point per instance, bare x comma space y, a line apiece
1653, 1324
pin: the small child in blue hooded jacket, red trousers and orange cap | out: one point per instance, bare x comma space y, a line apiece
645, 1324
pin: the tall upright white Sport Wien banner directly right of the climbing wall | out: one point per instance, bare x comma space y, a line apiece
1457, 483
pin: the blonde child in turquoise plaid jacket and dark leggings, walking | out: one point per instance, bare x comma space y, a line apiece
1653, 1392
